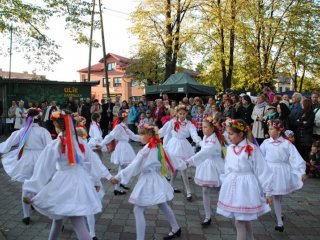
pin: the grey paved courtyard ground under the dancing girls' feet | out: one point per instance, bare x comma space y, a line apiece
301, 211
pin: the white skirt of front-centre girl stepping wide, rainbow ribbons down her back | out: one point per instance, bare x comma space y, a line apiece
151, 189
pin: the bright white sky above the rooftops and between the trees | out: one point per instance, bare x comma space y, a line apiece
75, 56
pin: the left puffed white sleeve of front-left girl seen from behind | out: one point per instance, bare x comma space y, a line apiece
44, 169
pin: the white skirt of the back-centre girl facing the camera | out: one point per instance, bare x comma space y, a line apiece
179, 150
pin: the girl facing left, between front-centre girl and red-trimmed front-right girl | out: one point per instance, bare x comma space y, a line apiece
209, 164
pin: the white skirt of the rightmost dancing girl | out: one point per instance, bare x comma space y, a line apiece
284, 179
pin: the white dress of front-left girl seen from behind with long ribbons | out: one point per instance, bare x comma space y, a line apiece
62, 190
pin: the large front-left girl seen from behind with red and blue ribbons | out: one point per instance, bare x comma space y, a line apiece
62, 183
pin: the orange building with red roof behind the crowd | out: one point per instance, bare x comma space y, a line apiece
120, 83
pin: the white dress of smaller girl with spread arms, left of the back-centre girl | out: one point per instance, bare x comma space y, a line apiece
123, 153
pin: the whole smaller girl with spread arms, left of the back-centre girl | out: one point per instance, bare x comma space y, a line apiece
123, 153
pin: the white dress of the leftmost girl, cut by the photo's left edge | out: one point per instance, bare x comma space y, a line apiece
22, 169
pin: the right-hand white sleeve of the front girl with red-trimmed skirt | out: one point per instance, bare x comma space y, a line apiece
261, 170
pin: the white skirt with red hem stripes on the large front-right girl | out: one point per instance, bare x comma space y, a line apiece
241, 197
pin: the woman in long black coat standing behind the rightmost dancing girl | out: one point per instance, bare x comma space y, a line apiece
304, 128
